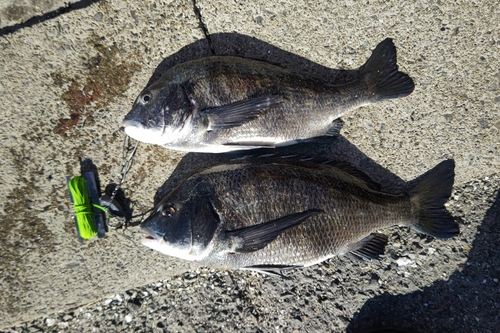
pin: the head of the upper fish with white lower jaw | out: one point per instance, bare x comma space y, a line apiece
161, 114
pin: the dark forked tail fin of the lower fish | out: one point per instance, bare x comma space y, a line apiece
429, 196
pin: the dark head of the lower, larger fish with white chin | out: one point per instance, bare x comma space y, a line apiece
182, 229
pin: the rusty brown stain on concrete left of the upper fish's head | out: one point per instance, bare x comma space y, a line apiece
107, 79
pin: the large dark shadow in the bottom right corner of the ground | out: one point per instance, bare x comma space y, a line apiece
474, 290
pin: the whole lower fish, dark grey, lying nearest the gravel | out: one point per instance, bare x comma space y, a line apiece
276, 215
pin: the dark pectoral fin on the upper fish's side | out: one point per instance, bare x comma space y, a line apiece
235, 114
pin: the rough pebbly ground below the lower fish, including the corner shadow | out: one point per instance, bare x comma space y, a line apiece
421, 285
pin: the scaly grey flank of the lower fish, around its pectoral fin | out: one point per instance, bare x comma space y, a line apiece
322, 236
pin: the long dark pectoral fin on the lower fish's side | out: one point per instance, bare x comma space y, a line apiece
258, 236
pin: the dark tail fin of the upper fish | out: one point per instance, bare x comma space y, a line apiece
382, 76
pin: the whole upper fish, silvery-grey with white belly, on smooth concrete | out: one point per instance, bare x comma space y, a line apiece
224, 103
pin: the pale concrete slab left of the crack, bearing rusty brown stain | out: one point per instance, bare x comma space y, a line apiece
75, 65
